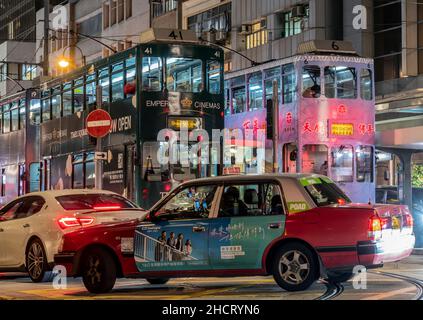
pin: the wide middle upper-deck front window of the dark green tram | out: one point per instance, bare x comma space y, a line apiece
184, 75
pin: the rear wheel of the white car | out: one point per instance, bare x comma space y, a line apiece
36, 262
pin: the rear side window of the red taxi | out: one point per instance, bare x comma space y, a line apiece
246, 200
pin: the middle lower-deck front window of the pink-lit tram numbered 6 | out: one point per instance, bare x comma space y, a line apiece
342, 163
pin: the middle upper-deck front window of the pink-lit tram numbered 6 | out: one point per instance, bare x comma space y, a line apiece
340, 82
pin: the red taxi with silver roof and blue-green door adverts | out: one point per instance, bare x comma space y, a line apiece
298, 228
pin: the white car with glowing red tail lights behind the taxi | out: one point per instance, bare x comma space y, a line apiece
32, 226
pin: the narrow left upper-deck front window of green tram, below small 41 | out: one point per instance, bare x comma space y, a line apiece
152, 74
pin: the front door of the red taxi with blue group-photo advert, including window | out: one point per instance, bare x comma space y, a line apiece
176, 237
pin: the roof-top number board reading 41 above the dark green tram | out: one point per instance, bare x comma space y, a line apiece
168, 35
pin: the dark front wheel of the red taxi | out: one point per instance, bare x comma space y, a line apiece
98, 271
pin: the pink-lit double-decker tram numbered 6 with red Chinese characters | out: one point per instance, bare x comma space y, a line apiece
326, 116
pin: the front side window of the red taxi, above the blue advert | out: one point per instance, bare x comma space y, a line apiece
190, 203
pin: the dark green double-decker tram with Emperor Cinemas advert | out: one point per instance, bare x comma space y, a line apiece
149, 88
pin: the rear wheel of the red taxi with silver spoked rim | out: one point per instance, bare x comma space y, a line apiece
294, 267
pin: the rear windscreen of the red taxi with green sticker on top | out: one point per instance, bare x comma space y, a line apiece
324, 192
